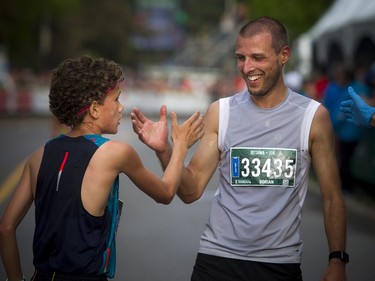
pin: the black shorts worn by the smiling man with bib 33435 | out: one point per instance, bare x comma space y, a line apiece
213, 268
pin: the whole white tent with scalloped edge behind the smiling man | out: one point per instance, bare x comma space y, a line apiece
345, 23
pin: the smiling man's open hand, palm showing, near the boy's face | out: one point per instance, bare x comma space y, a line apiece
153, 134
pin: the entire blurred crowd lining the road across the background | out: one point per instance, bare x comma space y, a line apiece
327, 86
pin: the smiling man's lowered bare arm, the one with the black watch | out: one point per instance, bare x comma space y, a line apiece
325, 166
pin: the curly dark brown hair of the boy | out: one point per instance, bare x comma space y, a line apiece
76, 83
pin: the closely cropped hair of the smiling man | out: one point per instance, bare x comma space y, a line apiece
266, 24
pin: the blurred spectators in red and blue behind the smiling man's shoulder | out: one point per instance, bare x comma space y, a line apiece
329, 86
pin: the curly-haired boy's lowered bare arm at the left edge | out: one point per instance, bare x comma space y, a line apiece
12, 217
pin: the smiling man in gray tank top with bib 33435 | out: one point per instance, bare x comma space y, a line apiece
263, 141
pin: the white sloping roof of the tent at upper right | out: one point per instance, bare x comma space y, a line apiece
343, 13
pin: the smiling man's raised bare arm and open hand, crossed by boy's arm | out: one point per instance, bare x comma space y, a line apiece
204, 161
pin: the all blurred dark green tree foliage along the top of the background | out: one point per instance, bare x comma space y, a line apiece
38, 34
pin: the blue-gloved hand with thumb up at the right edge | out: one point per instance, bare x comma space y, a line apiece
356, 110
